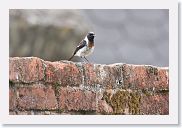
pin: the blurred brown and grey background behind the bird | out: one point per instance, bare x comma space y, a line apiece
127, 36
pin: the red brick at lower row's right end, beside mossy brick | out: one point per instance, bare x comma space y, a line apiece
157, 104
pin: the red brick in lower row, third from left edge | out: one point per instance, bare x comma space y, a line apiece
76, 99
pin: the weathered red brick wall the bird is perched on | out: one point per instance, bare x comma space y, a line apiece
64, 87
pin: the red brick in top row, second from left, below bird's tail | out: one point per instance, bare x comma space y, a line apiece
62, 74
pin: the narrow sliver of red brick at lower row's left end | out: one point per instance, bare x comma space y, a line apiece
12, 99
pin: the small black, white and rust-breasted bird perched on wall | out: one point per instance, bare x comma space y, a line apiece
85, 47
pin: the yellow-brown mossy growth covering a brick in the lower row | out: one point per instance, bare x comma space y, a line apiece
123, 102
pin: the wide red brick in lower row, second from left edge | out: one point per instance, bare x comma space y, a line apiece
36, 97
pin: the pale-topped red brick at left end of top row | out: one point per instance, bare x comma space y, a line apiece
25, 69
